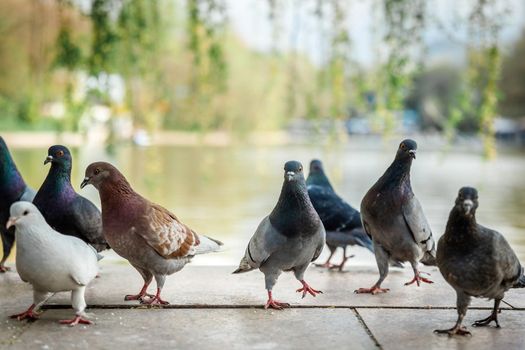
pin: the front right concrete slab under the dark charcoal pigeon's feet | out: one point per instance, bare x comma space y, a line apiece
413, 329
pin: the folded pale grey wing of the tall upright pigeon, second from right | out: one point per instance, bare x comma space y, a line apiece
418, 225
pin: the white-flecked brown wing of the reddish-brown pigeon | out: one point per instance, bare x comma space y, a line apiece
167, 235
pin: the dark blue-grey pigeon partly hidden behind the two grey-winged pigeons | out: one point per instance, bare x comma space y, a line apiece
342, 222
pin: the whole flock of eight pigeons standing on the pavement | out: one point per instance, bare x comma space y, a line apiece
59, 234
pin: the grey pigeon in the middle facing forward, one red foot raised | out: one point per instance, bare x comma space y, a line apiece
288, 239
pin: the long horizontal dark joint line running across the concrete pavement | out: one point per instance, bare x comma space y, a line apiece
260, 306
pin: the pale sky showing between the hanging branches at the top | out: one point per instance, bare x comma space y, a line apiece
298, 28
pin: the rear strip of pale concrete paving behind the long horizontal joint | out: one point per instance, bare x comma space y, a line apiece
207, 285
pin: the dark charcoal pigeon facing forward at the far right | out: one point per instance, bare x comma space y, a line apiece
476, 261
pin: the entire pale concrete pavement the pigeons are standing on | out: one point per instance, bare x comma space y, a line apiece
213, 309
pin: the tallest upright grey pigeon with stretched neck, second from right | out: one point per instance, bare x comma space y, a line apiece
394, 218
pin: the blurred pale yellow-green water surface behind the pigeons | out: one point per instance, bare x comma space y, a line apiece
225, 191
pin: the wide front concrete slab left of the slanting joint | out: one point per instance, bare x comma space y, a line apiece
200, 329
